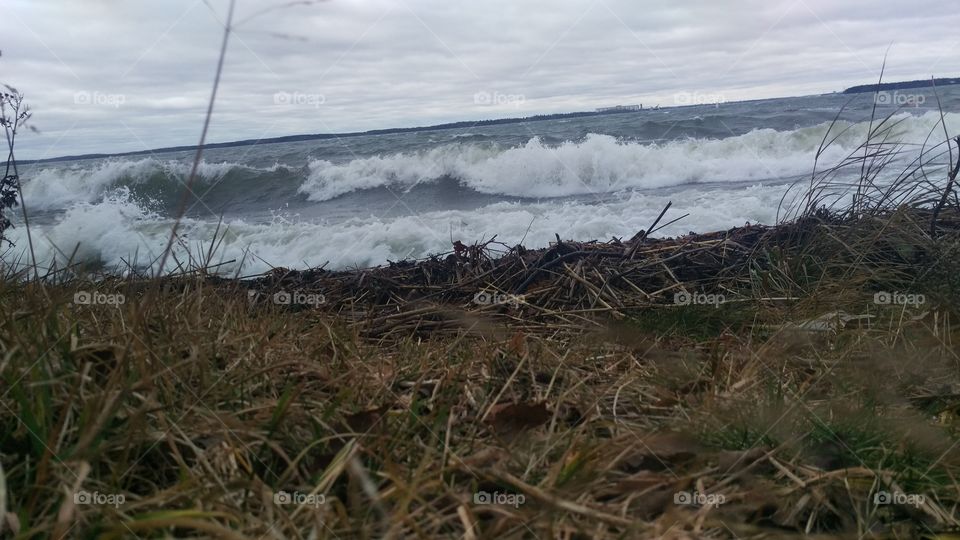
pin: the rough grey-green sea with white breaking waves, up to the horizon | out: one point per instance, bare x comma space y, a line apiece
361, 201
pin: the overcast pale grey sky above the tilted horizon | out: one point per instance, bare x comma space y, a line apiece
105, 76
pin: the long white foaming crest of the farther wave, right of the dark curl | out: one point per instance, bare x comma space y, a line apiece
604, 164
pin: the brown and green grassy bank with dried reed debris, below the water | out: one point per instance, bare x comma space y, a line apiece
819, 385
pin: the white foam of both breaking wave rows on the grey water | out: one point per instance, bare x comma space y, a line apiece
111, 227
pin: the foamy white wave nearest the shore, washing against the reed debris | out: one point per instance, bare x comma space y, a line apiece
119, 230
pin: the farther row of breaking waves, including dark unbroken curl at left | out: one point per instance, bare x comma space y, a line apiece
541, 168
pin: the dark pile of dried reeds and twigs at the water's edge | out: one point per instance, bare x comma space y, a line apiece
564, 284
